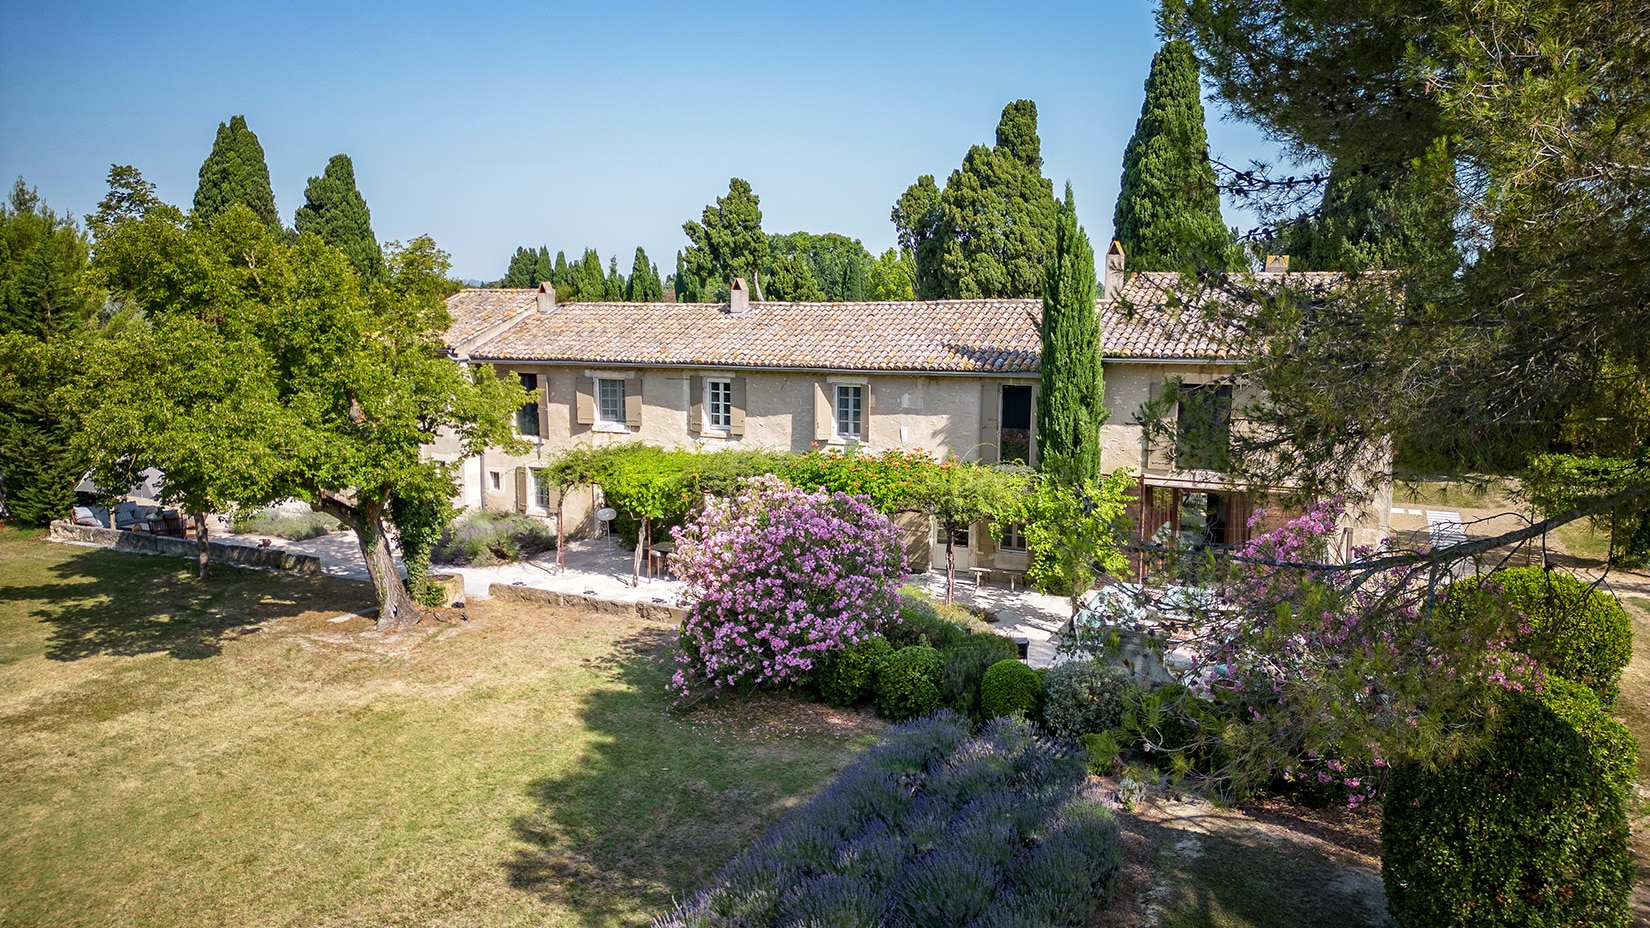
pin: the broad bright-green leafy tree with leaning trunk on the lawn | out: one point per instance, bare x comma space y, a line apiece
266, 371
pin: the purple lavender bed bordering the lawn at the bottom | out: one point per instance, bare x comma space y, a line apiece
930, 828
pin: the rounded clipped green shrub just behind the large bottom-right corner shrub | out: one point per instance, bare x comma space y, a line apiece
1575, 632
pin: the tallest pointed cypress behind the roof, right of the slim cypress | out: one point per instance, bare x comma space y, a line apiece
1169, 211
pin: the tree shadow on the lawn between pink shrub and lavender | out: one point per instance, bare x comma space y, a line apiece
662, 800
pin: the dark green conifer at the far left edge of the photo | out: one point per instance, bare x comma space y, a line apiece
44, 315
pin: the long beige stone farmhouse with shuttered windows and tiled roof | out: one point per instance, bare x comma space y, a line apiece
938, 377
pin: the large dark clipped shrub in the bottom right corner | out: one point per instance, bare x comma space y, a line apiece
1530, 830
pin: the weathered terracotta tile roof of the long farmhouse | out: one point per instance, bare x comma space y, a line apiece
978, 336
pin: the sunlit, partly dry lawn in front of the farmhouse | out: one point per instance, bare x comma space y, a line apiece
247, 752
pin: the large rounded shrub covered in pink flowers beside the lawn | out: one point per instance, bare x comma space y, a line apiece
776, 580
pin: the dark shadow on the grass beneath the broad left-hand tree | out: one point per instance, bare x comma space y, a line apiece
110, 604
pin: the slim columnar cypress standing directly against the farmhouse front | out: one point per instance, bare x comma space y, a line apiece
1072, 404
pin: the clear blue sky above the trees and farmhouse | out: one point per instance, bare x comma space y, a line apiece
577, 125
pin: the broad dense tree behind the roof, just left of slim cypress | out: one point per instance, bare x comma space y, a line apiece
991, 230
